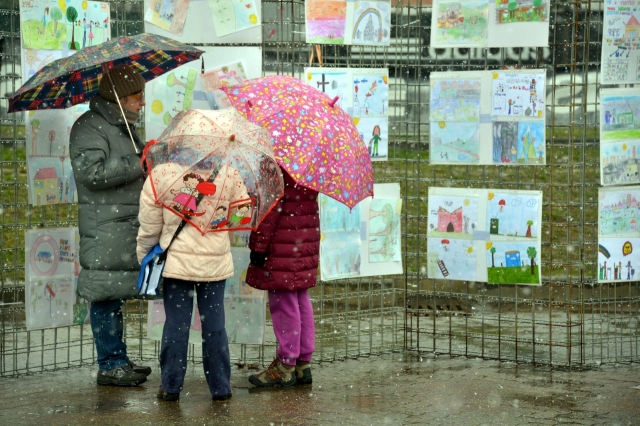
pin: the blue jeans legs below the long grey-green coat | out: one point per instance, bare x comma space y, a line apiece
107, 327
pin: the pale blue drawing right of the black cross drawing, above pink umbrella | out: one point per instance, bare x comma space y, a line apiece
370, 95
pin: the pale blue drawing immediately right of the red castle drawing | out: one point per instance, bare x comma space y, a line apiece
513, 215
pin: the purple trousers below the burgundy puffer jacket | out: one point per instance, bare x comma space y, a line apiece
292, 316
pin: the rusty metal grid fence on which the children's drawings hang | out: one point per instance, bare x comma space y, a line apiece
569, 321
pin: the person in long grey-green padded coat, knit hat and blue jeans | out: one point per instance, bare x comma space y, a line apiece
105, 155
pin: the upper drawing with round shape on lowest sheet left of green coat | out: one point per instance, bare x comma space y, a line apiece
51, 252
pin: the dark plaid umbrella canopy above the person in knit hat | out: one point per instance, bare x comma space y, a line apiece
75, 79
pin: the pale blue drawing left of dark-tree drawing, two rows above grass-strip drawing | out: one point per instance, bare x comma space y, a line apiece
453, 142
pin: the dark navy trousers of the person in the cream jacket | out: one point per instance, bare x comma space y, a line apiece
178, 307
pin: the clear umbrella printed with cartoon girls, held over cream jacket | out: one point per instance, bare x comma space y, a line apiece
215, 169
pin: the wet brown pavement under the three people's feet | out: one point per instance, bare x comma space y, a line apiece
393, 389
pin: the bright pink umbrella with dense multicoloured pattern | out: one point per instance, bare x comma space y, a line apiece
315, 141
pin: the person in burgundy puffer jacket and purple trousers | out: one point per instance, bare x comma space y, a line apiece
284, 260
